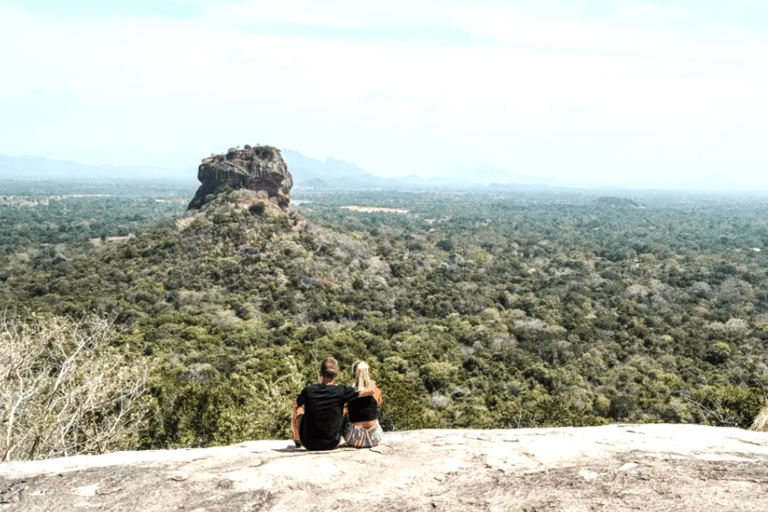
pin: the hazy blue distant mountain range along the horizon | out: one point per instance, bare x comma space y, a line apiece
337, 174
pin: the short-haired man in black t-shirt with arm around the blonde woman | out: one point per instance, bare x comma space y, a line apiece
318, 411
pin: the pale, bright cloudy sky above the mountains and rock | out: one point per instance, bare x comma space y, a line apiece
598, 91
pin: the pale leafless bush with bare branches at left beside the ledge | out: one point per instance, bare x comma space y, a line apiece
65, 391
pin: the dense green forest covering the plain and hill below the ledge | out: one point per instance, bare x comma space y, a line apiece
475, 309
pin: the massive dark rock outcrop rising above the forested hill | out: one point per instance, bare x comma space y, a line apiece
253, 168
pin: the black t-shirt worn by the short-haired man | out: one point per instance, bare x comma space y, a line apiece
323, 414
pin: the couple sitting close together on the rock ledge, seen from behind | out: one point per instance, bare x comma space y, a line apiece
318, 420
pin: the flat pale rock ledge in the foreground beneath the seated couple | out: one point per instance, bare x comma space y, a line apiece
608, 468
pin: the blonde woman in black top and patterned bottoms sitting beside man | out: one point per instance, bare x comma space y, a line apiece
363, 429
